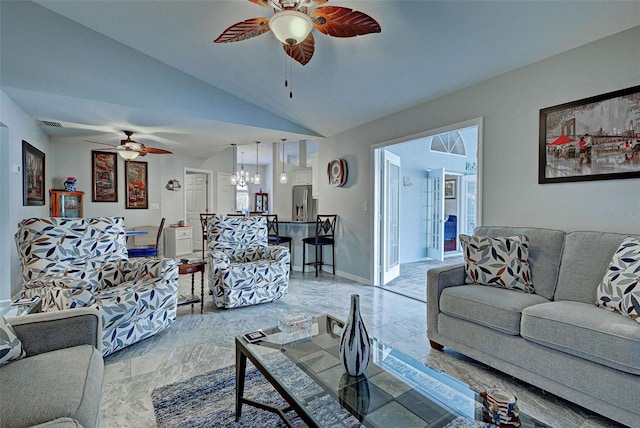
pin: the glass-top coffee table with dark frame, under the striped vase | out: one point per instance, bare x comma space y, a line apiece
396, 391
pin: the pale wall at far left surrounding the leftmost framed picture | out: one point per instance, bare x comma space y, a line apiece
18, 127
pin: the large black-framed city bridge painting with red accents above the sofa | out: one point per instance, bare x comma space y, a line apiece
596, 138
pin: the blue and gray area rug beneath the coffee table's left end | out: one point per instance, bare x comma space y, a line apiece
208, 400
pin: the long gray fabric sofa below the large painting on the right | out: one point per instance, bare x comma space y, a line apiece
556, 339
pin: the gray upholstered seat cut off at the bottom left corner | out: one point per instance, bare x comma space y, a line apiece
59, 382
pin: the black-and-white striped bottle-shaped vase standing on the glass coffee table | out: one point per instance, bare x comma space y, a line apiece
354, 343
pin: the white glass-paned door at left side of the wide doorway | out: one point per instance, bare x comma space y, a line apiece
390, 217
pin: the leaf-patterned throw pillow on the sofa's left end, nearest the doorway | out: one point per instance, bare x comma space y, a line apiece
501, 262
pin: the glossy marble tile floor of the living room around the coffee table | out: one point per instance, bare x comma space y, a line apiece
197, 343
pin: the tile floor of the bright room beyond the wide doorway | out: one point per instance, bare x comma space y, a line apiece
412, 281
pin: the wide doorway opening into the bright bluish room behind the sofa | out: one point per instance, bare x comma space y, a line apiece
426, 193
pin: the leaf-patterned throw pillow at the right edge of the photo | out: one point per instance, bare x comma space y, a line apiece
620, 287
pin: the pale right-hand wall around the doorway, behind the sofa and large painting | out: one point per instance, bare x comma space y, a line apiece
509, 105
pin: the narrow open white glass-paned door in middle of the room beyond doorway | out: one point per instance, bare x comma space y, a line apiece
435, 214
